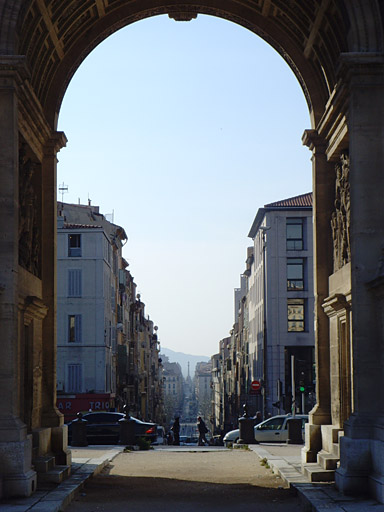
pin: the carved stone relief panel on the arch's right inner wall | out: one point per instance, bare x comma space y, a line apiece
341, 217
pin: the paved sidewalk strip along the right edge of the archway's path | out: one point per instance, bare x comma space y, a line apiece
285, 460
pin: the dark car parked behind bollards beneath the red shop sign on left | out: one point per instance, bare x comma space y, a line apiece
104, 428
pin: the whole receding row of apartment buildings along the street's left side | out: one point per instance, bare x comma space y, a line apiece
107, 350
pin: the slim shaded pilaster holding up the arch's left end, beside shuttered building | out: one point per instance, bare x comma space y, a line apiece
51, 417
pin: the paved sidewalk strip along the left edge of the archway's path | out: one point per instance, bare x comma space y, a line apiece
86, 462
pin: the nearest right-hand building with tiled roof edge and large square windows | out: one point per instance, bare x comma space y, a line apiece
280, 302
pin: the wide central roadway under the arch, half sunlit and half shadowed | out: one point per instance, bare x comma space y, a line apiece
186, 481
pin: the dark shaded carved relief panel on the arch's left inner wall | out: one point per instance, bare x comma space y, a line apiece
29, 229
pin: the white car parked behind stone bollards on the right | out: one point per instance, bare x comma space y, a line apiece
273, 429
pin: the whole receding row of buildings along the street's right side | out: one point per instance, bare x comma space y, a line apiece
271, 343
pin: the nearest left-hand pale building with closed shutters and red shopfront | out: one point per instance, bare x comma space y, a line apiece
89, 257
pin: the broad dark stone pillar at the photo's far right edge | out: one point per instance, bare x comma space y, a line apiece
362, 447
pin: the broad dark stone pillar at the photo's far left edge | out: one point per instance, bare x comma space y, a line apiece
15, 445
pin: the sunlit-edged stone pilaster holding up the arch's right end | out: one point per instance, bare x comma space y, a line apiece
323, 198
